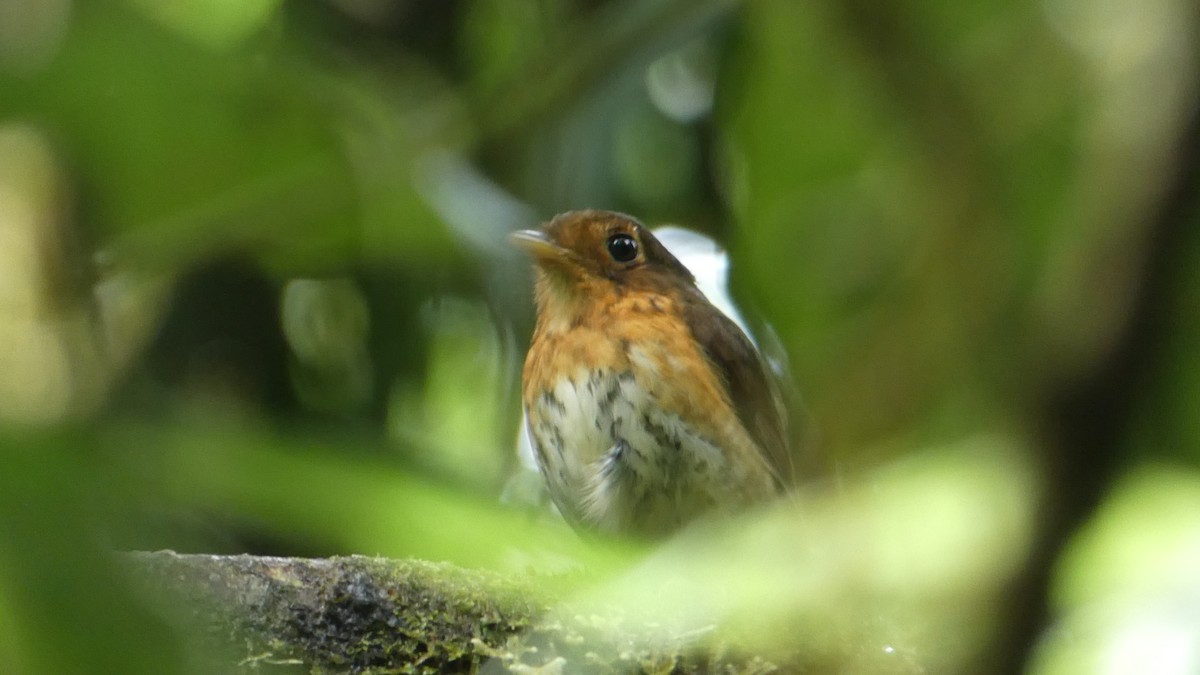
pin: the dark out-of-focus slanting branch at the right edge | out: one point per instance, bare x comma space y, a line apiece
1087, 422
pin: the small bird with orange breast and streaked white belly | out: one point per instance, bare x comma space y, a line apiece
647, 408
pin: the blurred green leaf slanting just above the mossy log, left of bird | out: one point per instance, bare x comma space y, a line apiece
352, 506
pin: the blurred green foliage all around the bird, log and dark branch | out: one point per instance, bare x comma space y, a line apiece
255, 295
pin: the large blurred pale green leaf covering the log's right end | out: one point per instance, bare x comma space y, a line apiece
899, 574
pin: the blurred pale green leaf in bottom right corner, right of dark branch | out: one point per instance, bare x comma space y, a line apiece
1127, 590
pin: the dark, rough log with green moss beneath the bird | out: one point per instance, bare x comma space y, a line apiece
377, 616
